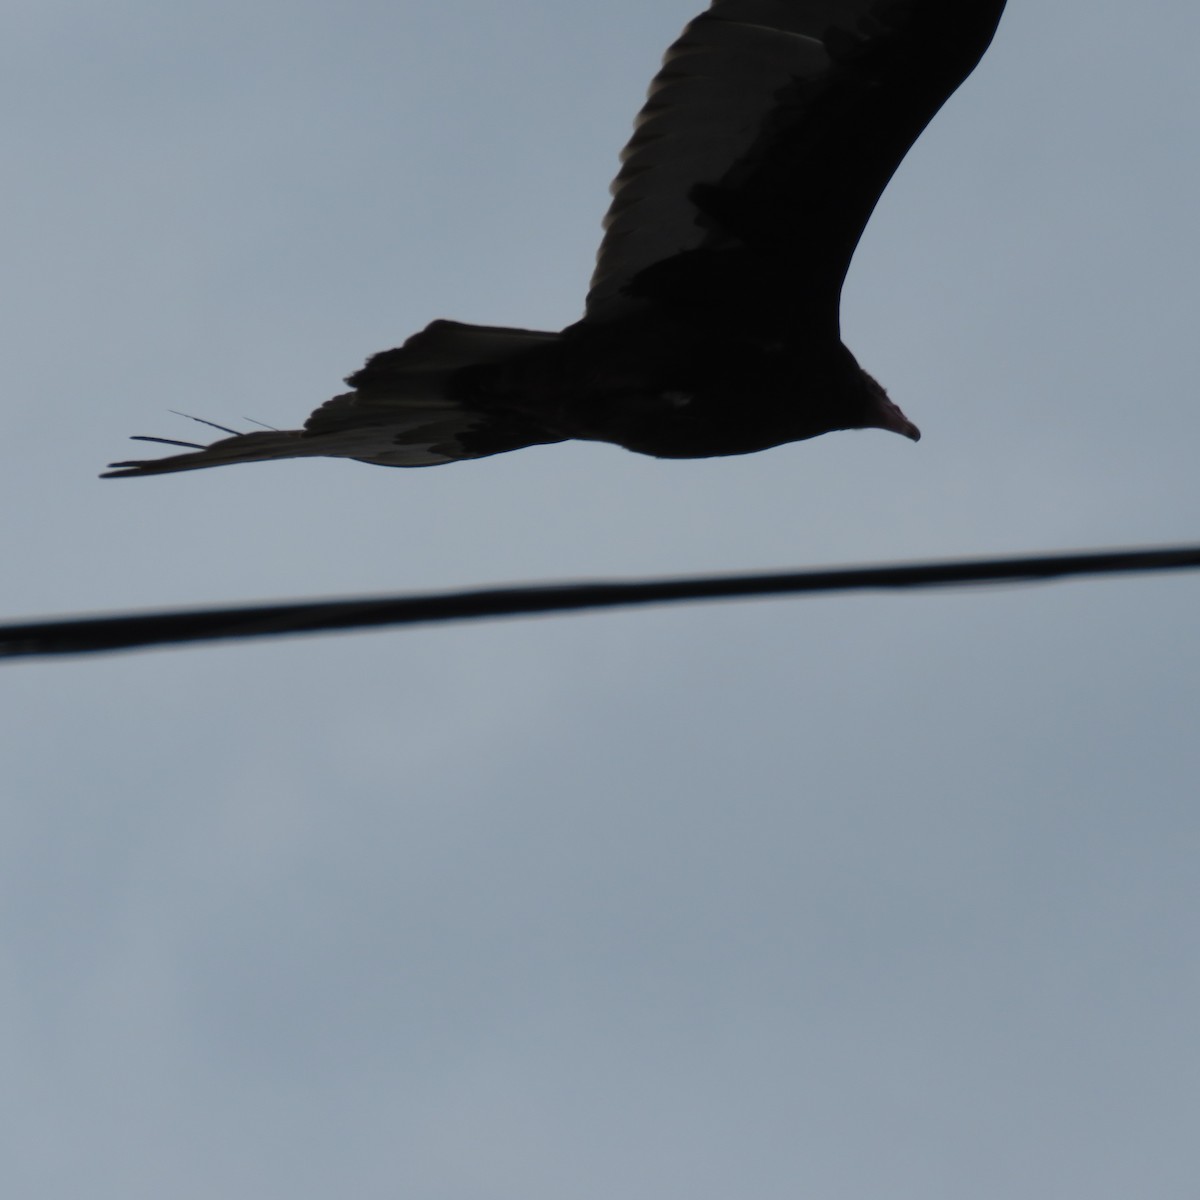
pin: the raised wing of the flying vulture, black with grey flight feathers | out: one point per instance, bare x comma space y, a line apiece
767, 140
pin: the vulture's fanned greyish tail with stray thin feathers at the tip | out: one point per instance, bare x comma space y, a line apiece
404, 411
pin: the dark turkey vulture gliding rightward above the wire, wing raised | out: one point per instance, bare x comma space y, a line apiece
712, 326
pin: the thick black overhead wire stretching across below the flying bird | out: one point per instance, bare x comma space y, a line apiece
93, 634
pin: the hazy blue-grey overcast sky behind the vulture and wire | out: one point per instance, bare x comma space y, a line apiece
838, 898
